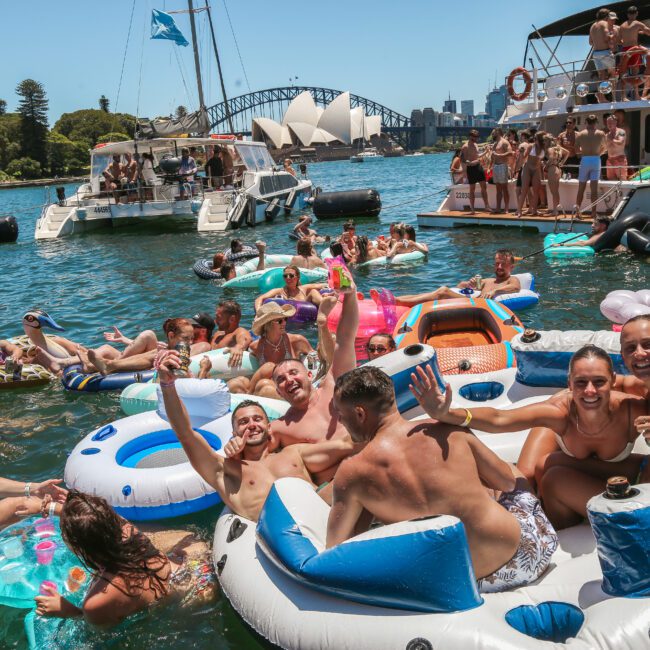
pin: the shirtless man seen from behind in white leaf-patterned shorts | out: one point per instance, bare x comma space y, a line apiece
409, 470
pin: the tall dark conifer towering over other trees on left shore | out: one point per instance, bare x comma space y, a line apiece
33, 120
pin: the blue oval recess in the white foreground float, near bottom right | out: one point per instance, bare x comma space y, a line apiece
548, 621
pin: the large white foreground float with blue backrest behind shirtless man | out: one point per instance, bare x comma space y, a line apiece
300, 596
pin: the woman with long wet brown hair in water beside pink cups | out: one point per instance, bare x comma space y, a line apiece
130, 573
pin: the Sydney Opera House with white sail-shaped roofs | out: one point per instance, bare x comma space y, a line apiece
306, 125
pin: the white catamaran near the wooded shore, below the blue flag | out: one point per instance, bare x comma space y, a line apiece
255, 192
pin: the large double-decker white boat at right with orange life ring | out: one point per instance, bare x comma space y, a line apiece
554, 90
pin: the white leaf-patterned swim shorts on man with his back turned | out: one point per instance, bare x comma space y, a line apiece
538, 543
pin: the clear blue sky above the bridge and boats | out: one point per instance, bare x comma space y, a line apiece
405, 55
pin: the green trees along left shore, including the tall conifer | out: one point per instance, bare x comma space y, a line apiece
30, 149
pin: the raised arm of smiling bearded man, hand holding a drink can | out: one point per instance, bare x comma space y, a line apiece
205, 461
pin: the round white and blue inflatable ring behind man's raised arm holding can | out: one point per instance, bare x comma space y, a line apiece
138, 465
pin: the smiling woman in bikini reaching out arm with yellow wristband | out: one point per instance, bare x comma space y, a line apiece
593, 426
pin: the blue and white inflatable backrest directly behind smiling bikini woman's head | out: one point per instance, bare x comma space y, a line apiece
544, 360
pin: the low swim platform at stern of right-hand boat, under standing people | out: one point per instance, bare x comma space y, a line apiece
543, 222
